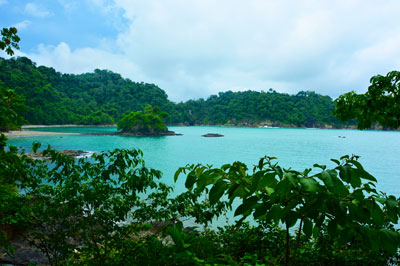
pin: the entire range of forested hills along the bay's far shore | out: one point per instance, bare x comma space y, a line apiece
103, 96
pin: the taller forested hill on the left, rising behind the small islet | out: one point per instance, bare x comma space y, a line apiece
54, 98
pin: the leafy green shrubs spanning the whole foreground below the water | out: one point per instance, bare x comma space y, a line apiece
97, 211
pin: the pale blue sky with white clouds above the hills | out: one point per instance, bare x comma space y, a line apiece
195, 48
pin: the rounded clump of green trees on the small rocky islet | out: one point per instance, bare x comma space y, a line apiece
148, 121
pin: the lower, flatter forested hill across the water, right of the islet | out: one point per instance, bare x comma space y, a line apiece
250, 107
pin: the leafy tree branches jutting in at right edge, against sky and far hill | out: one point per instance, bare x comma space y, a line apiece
380, 104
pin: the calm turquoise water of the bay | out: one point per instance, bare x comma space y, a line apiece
295, 148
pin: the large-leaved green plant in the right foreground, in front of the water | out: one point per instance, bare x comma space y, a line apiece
343, 201
